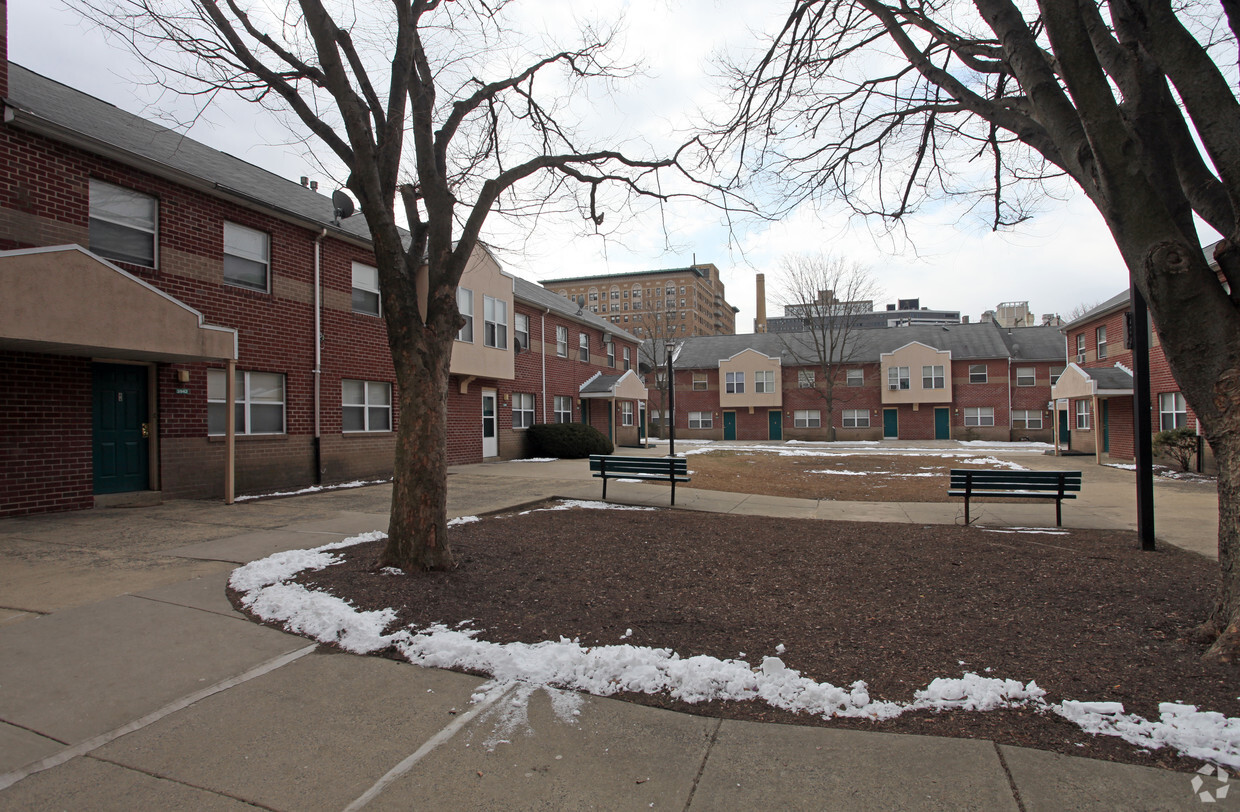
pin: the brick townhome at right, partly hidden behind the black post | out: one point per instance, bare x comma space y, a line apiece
1094, 396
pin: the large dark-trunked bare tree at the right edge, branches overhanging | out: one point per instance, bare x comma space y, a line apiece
891, 105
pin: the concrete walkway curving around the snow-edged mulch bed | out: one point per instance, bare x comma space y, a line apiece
127, 681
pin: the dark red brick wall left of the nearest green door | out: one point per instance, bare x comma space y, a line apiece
45, 435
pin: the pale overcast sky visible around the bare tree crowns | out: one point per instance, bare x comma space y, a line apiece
1061, 260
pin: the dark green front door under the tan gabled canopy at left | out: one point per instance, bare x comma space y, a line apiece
120, 428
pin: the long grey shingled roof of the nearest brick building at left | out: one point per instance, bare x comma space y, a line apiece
45, 105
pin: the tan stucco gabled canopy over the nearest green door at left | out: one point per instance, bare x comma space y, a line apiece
66, 301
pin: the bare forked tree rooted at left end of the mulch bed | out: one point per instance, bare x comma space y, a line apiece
394, 90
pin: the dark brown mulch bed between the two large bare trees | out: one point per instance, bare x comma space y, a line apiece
1087, 616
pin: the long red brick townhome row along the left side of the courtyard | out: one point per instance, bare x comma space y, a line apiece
137, 266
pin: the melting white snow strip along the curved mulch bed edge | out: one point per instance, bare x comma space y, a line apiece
608, 670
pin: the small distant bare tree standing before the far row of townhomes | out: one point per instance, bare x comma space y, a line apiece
831, 297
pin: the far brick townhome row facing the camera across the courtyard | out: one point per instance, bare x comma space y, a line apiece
964, 382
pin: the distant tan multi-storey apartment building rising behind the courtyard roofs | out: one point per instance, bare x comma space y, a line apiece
655, 304
